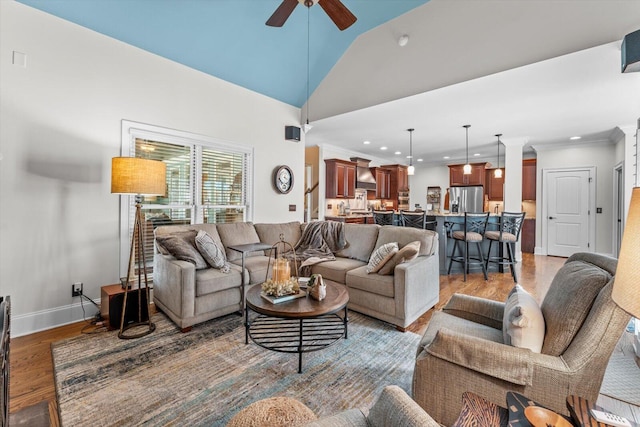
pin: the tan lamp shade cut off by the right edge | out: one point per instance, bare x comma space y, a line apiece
626, 288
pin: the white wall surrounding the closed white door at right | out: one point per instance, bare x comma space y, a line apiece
603, 157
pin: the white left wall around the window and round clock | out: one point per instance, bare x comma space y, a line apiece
61, 121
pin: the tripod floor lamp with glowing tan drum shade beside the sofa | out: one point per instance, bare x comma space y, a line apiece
133, 175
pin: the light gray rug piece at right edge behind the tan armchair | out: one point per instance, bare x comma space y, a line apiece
622, 379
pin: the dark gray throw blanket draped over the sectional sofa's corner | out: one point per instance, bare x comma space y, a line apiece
319, 241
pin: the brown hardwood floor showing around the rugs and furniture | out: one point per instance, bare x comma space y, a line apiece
32, 368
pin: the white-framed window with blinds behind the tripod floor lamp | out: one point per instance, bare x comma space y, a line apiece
208, 181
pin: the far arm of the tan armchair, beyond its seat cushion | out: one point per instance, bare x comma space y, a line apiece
478, 310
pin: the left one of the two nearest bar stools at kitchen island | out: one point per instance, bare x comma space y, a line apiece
474, 227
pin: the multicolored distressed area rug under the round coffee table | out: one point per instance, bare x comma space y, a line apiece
202, 378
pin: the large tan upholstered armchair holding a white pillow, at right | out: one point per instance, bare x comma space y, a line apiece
464, 347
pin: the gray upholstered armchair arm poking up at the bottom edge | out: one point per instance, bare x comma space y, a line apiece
394, 407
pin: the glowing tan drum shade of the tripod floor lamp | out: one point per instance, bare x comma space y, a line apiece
133, 175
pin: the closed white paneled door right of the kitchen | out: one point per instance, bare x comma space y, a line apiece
568, 202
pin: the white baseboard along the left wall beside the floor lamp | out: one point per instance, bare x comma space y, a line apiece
29, 323
